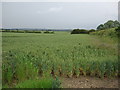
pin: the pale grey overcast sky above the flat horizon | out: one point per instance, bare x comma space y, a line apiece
57, 15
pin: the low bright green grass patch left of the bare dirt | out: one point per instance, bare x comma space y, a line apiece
47, 82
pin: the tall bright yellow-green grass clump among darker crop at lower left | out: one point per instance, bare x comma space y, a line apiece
25, 70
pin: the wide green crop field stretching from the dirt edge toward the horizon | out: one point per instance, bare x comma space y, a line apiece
30, 55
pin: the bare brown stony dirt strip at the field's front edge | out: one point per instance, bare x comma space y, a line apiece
89, 82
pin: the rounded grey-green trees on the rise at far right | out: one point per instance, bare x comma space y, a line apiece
109, 24
